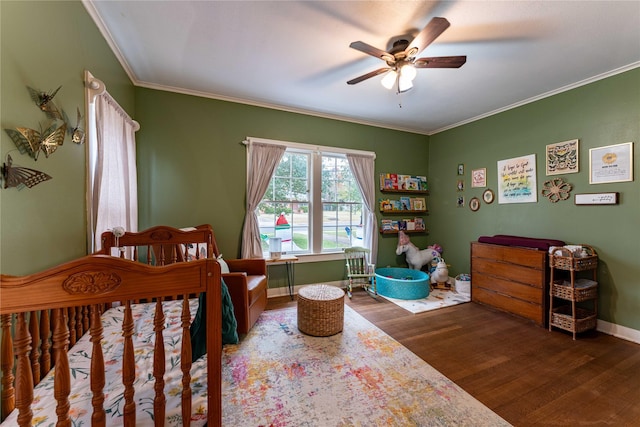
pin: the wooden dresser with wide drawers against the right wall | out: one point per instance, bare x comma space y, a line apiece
511, 279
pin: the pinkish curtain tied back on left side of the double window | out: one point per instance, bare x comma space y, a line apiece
262, 161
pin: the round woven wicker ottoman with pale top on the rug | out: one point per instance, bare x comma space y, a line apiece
320, 310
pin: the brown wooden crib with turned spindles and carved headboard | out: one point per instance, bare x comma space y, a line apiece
43, 315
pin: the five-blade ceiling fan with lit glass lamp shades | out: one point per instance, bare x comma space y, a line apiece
401, 58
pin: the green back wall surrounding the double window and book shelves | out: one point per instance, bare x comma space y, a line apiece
192, 165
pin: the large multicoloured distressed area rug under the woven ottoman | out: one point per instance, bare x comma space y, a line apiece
277, 376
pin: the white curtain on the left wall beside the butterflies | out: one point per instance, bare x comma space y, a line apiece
112, 198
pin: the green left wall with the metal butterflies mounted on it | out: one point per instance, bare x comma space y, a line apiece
46, 44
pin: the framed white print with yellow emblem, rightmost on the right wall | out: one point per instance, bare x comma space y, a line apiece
613, 163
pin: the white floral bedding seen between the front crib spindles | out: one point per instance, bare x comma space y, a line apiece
44, 406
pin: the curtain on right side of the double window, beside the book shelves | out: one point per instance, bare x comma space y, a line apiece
363, 171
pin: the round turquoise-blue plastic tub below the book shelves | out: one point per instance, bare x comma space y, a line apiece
402, 283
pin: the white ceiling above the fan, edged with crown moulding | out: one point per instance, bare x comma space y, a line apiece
295, 55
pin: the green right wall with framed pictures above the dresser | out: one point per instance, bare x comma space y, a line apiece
602, 113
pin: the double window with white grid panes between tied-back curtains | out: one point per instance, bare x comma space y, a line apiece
313, 203
